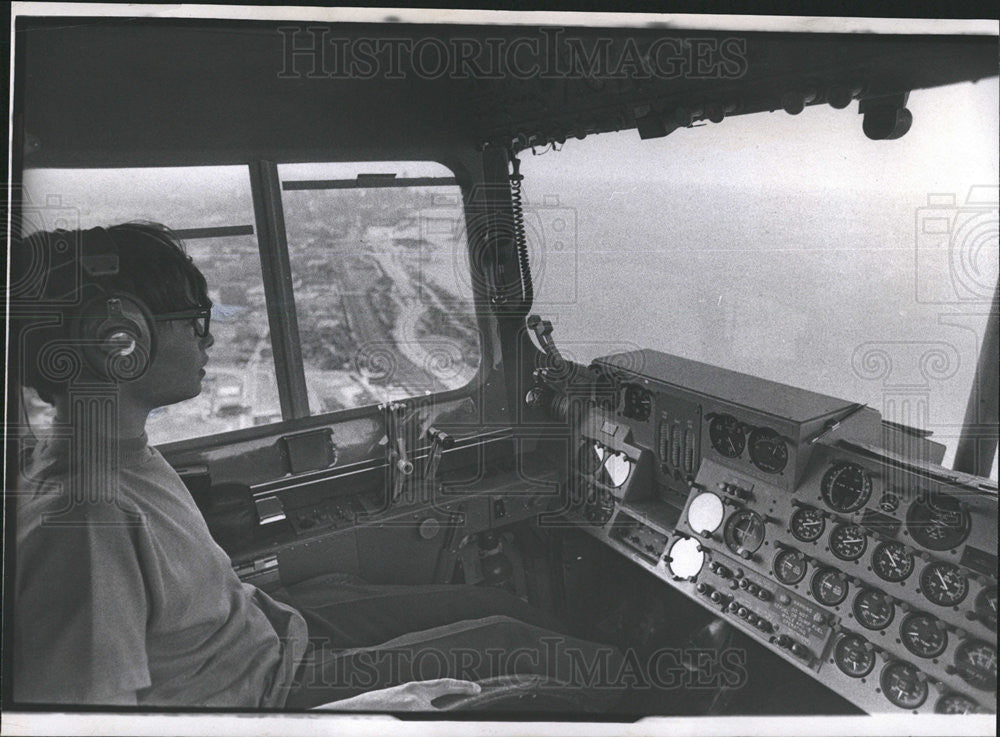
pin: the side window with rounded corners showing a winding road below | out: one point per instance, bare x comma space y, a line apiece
380, 276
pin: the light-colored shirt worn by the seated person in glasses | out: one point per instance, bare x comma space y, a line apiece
129, 600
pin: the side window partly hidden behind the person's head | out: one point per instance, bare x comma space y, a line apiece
211, 209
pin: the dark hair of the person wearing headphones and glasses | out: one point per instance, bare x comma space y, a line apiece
47, 279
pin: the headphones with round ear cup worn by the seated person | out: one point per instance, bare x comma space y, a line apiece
115, 331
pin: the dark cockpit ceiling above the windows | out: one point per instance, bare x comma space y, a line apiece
112, 92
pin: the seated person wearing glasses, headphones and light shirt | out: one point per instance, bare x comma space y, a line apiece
122, 596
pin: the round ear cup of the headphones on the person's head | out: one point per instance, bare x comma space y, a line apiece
117, 337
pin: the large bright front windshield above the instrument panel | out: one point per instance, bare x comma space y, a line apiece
787, 247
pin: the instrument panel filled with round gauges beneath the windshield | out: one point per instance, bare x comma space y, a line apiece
785, 513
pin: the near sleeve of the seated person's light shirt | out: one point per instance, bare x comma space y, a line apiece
81, 608
